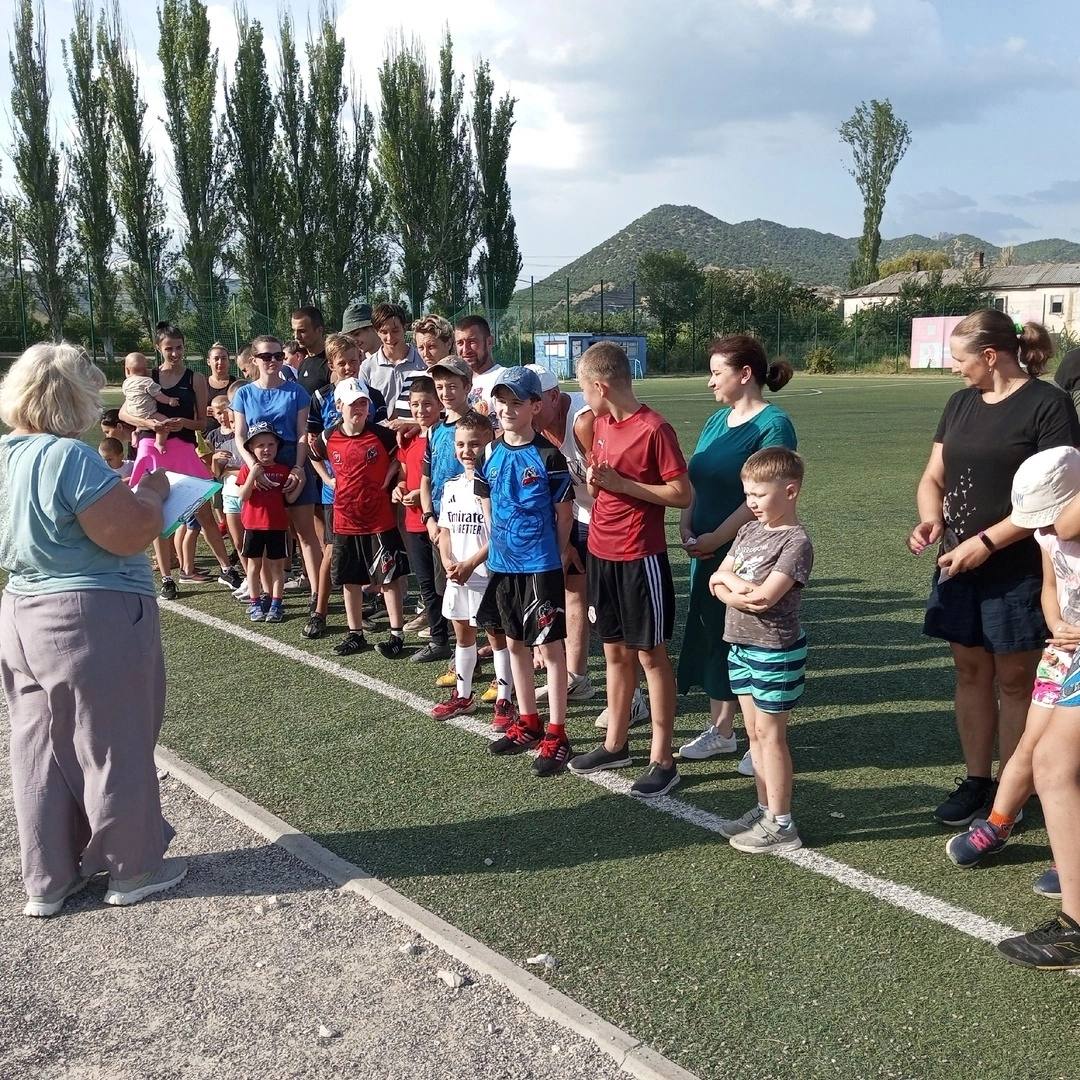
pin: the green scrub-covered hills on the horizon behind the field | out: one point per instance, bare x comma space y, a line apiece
811, 258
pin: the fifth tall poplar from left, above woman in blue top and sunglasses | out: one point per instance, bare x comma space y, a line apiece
254, 175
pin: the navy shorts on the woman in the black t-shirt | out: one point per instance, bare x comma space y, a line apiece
981, 613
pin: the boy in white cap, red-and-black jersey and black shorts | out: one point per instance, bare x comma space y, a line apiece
368, 547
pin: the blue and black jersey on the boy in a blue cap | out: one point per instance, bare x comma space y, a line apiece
525, 484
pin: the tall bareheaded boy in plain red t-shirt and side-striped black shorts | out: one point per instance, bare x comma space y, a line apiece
637, 471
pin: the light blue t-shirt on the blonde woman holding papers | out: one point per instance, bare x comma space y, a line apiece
45, 483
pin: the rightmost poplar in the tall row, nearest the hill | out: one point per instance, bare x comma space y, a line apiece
501, 262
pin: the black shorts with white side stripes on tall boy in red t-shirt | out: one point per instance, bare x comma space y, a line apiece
634, 602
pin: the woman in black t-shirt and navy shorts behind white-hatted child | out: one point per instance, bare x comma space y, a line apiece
985, 596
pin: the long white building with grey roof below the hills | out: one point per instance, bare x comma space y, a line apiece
1047, 293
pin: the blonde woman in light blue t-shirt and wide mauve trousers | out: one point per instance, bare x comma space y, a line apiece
78, 619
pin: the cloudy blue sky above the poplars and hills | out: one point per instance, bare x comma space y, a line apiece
731, 105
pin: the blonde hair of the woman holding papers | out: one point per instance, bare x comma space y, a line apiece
52, 388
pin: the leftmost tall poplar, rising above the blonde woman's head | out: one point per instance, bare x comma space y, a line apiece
43, 207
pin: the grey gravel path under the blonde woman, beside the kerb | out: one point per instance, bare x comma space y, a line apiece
206, 981
